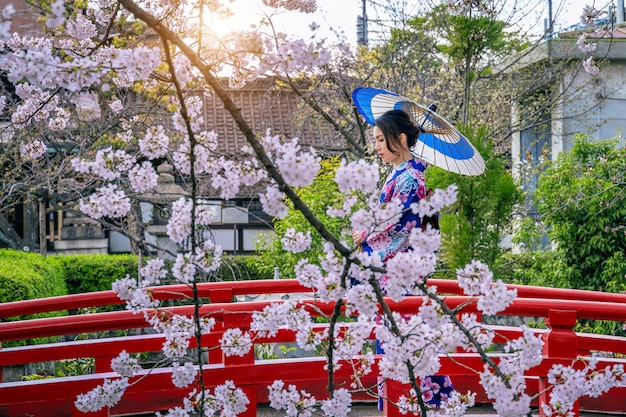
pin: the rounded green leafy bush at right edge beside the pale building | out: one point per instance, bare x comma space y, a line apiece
581, 201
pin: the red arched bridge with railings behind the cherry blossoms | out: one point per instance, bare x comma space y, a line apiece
559, 308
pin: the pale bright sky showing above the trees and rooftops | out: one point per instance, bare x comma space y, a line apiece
341, 16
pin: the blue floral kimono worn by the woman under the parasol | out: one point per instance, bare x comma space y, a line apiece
407, 184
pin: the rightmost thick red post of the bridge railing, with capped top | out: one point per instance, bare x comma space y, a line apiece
560, 343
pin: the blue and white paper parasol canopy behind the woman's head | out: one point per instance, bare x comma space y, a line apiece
441, 144
